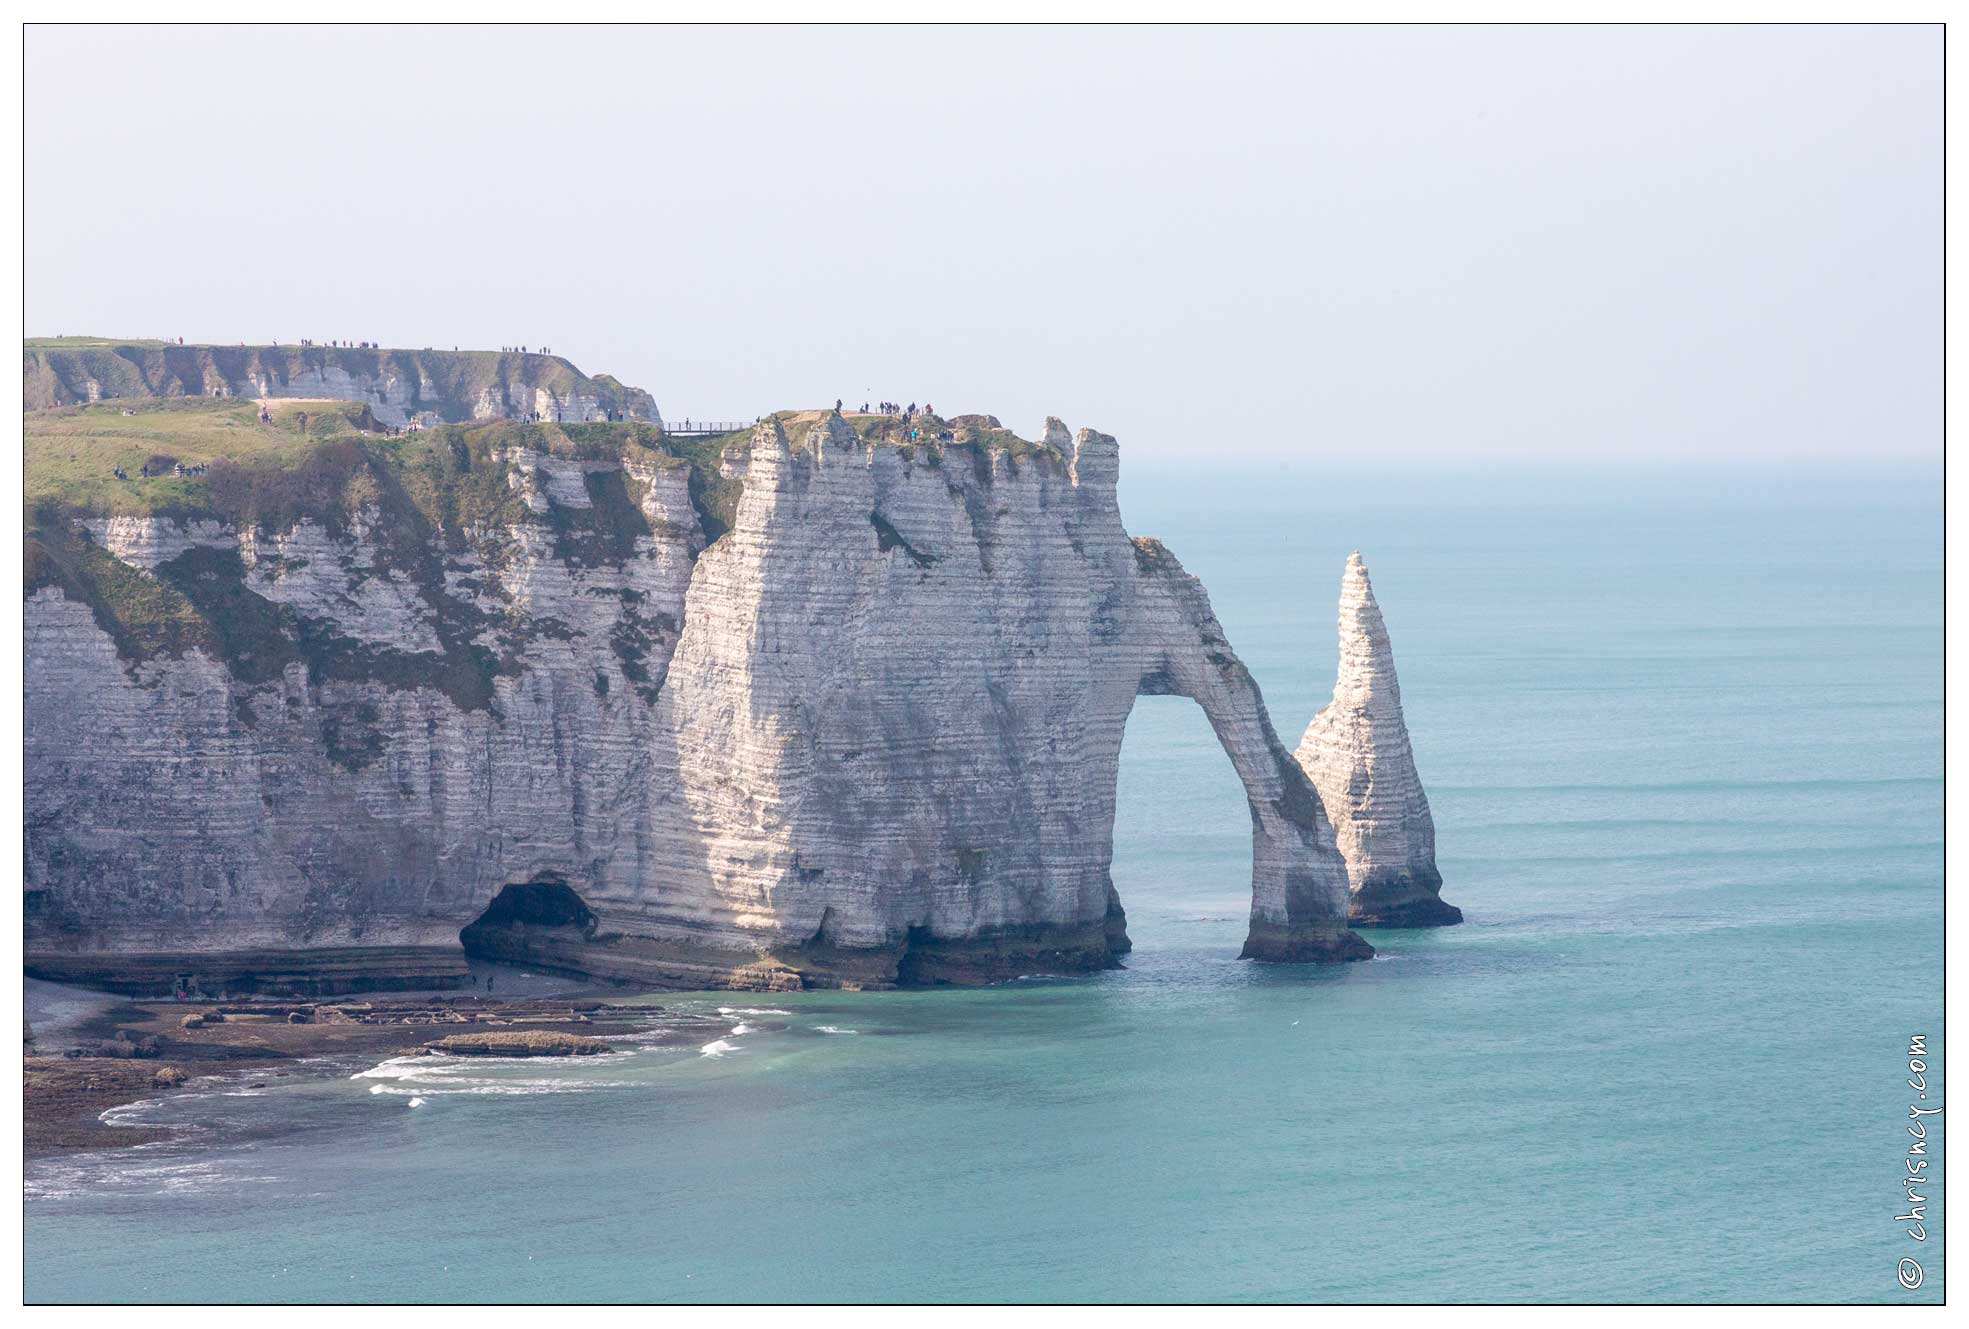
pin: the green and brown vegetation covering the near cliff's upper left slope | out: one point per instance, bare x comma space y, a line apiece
324, 462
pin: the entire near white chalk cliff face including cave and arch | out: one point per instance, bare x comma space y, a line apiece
869, 735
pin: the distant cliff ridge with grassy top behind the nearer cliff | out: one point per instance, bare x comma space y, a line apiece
395, 385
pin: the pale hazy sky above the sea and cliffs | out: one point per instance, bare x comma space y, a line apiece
1306, 241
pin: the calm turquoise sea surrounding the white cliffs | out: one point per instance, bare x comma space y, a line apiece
1684, 745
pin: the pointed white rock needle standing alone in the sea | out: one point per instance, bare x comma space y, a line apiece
1358, 755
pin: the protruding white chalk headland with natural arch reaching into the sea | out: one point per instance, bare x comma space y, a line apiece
922, 763
